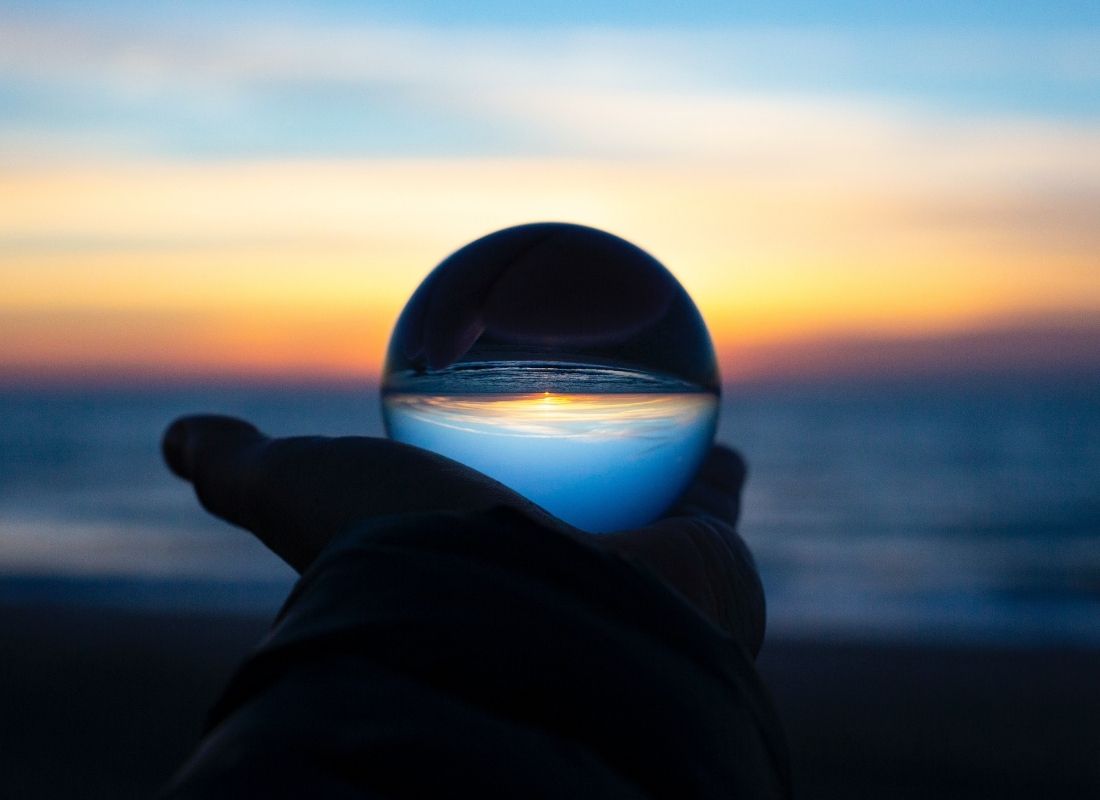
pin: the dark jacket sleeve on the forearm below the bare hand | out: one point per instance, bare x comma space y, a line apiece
482, 655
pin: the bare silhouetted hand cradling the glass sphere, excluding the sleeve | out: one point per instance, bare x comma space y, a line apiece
296, 495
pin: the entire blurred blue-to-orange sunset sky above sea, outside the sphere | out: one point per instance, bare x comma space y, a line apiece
211, 189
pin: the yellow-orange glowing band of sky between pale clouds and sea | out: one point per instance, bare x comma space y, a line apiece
301, 269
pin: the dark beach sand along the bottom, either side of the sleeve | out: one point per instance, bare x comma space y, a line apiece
105, 705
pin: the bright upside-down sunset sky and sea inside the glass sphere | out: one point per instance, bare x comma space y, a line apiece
606, 461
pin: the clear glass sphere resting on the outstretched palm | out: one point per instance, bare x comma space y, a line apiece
565, 363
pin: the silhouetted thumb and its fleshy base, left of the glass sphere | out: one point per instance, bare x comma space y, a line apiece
296, 495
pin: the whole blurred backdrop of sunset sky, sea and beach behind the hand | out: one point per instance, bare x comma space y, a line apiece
889, 217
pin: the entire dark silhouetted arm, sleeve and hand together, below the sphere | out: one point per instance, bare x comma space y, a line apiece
450, 640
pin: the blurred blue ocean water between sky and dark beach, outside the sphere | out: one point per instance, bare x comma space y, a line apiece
932, 511
